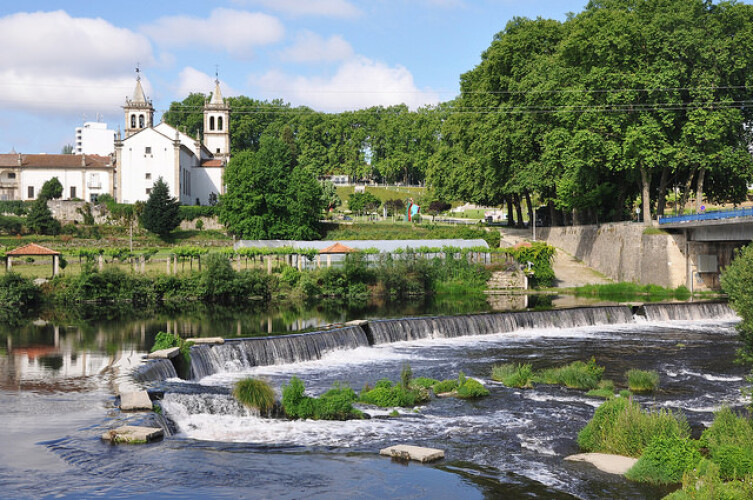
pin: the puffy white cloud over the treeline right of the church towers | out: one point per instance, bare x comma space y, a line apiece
358, 83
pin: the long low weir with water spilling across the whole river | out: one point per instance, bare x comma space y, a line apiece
240, 354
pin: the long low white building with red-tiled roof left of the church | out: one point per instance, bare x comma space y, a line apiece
83, 177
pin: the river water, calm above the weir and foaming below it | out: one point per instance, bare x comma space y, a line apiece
57, 398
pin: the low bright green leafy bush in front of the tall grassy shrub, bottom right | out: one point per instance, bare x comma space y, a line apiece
665, 460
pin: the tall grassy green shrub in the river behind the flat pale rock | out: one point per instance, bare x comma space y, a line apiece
621, 427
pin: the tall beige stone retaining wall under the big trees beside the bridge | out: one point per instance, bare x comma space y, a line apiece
623, 252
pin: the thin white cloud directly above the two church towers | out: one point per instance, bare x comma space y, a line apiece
234, 31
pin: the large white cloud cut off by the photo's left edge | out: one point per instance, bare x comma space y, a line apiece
52, 62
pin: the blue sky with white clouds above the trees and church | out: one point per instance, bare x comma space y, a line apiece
66, 62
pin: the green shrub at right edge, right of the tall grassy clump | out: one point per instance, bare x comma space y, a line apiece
730, 444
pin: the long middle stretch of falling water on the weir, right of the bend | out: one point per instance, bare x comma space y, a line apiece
387, 331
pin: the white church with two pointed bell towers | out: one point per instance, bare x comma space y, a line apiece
192, 169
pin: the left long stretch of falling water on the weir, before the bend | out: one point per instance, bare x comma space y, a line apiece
242, 354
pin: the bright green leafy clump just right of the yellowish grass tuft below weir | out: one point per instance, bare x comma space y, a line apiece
335, 404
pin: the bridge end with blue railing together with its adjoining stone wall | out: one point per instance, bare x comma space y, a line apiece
691, 250
